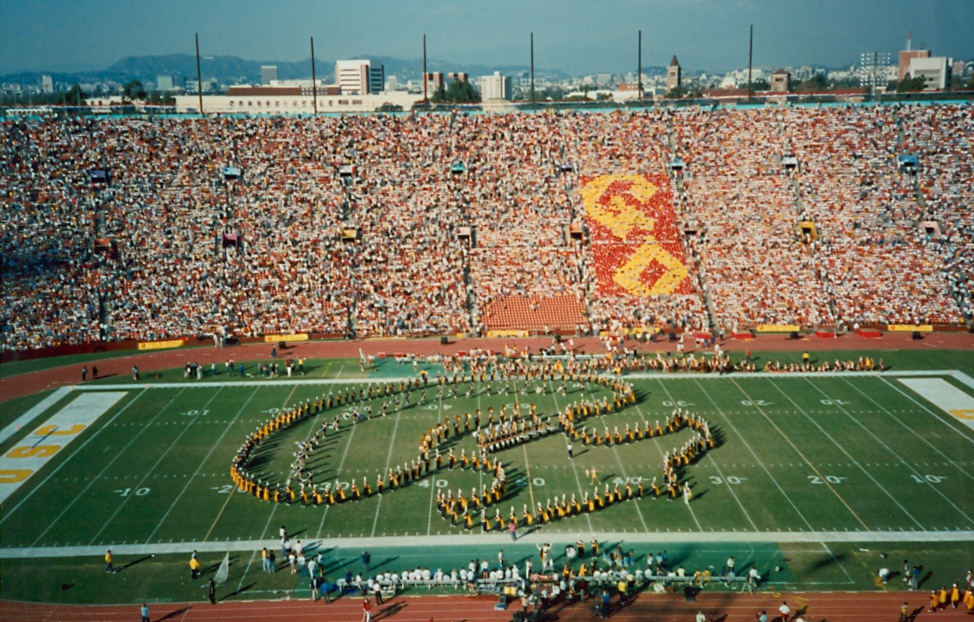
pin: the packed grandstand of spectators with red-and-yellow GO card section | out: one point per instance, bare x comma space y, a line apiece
402, 225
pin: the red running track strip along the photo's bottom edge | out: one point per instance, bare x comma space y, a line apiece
719, 607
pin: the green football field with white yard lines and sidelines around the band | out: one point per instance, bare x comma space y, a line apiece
811, 464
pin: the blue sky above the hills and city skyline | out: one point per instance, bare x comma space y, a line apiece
573, 35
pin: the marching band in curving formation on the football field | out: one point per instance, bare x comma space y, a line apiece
496, 432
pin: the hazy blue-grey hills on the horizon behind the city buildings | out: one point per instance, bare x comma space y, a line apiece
232, 69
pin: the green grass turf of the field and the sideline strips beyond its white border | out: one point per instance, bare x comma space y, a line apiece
821, 453
